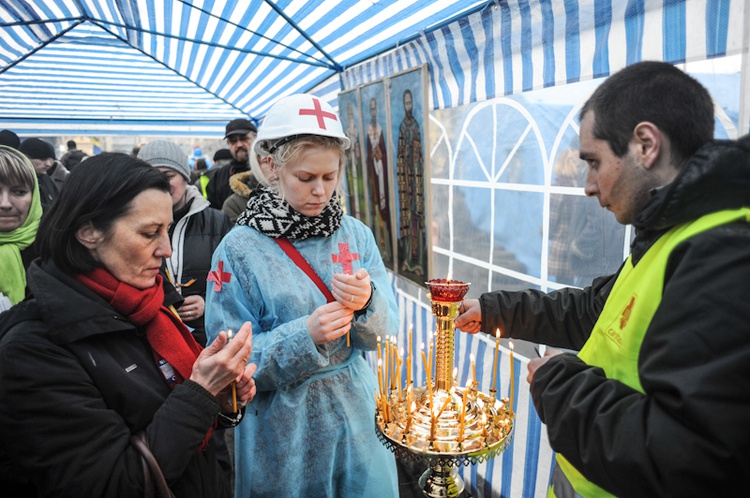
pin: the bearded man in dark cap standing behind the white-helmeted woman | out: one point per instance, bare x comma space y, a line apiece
240, 135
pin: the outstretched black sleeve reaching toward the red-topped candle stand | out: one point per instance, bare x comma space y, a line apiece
562, 318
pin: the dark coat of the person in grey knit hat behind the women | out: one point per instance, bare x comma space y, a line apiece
195, 236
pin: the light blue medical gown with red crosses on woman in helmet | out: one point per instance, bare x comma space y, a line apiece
310, 430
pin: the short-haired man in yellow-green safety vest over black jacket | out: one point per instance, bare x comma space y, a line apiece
657, 400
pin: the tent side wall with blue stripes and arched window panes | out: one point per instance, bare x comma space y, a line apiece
506, 85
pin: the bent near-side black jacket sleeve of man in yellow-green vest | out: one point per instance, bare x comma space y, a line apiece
687, 435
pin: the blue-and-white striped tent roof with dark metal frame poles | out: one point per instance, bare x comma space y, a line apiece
187, 66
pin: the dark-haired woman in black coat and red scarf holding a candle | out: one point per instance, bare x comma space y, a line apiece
95, 357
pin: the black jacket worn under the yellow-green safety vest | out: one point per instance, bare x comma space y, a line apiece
686, 436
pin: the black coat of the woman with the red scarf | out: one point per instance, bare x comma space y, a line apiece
76, 380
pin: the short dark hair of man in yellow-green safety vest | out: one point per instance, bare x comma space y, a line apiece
656, 92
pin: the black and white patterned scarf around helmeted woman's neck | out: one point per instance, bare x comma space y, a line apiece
272, 216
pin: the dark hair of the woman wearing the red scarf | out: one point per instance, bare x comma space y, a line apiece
100, 191
